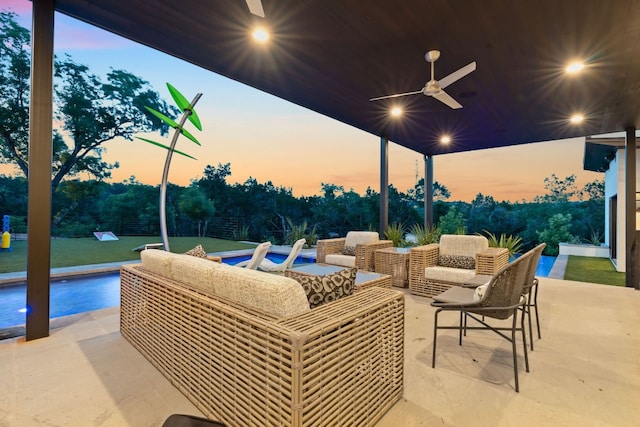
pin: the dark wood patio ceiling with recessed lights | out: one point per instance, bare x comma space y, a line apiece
331, 56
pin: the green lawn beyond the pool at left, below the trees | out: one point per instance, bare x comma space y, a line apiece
88, 250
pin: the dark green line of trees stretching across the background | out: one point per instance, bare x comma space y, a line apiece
256, 211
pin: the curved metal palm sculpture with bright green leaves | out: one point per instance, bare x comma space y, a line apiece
187, 113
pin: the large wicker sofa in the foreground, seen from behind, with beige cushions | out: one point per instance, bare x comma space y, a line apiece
247, 350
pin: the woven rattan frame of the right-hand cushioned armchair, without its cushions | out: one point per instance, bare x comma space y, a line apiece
488, 262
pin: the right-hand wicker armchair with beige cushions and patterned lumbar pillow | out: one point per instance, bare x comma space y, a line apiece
436, 267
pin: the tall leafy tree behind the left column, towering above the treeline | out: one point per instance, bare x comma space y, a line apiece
90, 111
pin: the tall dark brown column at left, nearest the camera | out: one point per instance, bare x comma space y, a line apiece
40, 149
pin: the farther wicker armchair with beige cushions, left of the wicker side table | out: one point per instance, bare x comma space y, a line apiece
365, 244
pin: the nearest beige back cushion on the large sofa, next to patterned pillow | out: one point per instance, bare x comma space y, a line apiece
271, 293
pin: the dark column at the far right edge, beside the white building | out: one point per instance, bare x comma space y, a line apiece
632, 266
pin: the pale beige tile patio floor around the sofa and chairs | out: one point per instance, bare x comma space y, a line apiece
584, 372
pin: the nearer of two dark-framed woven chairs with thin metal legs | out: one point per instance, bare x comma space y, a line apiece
502, 298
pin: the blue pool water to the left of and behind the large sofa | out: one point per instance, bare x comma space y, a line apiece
81, 294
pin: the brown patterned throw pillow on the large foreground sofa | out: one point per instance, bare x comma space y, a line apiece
323, 289
